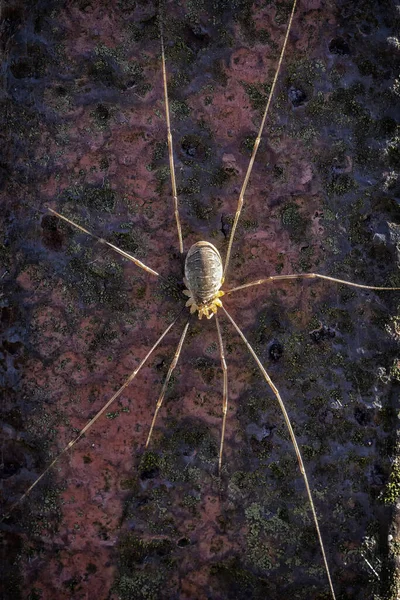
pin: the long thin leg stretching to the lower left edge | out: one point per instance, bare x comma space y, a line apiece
94, 419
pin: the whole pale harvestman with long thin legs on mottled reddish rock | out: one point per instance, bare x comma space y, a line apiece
205, 275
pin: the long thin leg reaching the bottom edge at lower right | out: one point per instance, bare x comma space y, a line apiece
294, 442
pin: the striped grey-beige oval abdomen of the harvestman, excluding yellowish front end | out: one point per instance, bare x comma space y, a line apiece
203, 271
